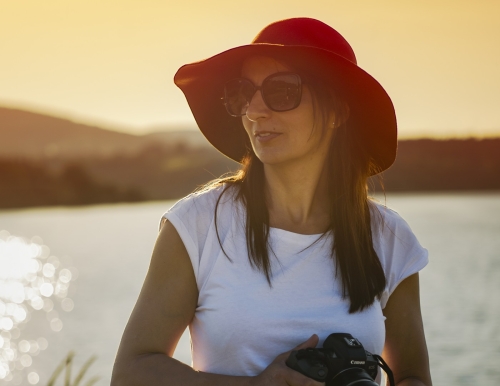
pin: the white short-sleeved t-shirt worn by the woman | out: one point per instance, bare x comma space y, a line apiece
241, 323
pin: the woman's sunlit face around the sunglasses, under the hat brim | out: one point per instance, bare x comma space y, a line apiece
282, 137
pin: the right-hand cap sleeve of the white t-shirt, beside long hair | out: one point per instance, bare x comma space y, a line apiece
398, 249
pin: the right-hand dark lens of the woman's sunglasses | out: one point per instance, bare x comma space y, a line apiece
282, 92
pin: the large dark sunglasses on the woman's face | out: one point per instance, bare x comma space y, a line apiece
280, 91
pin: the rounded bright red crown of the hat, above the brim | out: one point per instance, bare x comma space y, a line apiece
306, 32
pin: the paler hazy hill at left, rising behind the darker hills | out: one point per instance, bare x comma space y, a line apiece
34, 135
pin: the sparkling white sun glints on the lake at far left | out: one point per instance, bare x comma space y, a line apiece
31, 280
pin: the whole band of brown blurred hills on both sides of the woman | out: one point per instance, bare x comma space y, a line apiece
46, 160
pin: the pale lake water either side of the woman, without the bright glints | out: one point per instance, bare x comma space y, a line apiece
110, 247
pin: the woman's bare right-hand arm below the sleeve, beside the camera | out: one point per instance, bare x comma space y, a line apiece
405, 350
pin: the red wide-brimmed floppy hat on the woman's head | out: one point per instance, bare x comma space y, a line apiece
309, 43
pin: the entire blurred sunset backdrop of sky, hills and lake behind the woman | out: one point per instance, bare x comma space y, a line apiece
96, 142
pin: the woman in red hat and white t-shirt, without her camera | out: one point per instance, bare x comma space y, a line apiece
289, 249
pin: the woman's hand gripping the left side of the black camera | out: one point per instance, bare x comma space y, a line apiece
279, 374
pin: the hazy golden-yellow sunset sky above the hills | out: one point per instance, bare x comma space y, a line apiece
112, 62
